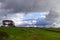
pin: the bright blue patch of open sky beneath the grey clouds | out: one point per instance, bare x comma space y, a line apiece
35, 15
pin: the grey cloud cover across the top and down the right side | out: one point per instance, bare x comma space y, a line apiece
16, 6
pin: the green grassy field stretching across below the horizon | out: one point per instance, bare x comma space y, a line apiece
32, 33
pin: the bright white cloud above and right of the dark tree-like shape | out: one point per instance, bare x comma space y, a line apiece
17, 18
